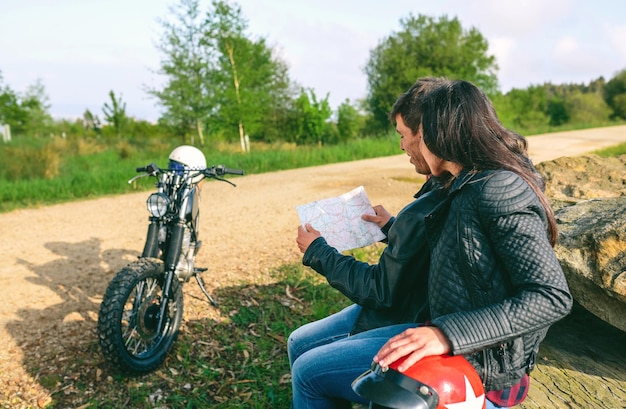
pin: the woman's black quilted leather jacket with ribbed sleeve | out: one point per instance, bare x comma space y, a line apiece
495, 284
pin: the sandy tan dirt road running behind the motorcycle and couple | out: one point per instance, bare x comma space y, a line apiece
58, 260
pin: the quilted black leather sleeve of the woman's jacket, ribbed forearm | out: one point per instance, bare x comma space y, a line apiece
510, 243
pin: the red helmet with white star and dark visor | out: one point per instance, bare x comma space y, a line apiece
435, 382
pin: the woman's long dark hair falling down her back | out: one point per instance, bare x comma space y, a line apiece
461, 126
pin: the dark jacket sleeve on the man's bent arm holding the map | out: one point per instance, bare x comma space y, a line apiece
375, 286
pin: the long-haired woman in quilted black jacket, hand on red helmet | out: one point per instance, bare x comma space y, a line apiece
495, 285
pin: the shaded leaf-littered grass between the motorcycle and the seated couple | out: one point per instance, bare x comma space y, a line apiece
236, 362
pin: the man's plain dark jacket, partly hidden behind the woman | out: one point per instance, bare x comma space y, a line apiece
393, 291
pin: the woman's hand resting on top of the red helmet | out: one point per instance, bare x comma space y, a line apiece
414, 342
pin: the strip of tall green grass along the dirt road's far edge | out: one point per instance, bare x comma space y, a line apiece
37, 172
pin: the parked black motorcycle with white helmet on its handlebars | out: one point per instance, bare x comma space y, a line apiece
142, 308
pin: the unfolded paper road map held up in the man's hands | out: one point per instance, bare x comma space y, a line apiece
339, 220
